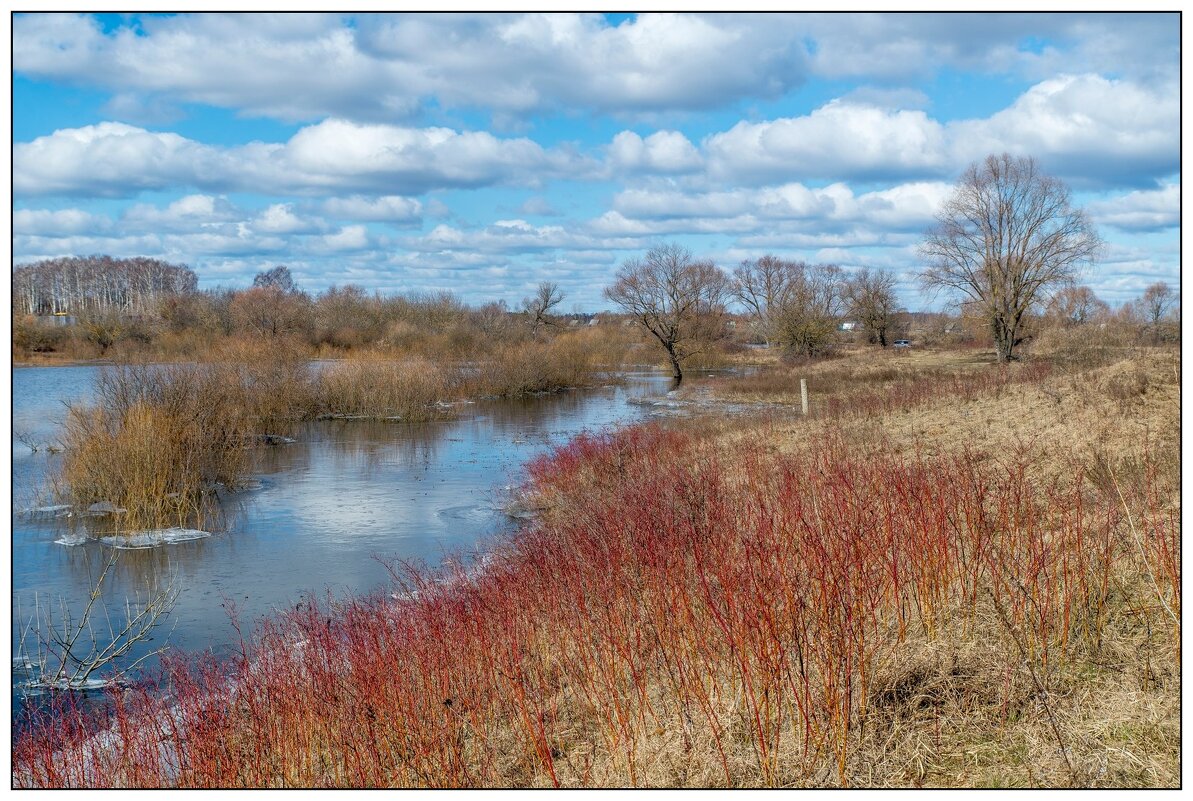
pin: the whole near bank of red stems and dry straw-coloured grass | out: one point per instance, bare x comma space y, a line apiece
969, 584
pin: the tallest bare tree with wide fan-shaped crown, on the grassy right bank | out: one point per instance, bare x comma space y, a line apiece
1006, 237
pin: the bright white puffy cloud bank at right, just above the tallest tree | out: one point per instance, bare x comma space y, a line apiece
1089, 130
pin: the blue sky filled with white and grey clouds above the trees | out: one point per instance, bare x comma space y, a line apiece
483, 155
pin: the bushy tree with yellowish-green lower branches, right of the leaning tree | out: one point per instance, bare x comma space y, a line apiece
812, 309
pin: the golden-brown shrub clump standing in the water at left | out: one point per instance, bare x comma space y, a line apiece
159, 440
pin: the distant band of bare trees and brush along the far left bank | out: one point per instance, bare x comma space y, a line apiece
129, 309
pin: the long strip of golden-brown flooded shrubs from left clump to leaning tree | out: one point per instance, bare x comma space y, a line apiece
159, 439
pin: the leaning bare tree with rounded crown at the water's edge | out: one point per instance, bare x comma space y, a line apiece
679, 301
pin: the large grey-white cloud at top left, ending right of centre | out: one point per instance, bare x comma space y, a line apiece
386, 67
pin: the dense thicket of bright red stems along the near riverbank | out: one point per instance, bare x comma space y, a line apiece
747, 607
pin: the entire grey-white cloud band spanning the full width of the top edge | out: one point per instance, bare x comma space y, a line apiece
388, 67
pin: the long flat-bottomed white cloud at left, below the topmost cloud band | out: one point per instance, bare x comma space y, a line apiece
114, 159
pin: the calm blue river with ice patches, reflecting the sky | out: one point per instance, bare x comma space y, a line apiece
330, 510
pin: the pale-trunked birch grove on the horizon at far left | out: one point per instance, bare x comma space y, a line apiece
98, 285
